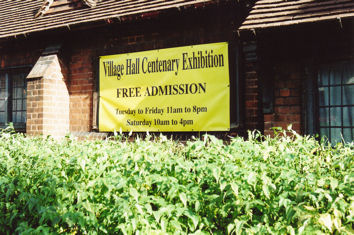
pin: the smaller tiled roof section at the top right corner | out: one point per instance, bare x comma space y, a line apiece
273, 13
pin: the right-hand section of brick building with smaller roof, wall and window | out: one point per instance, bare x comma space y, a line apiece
305, 65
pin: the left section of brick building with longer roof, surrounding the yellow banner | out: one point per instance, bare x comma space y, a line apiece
57, 54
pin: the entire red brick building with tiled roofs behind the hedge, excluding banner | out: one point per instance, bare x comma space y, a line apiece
49, 65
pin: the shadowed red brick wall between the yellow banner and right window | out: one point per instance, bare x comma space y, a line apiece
268, 71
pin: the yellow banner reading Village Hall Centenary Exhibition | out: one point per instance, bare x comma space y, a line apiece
175, 89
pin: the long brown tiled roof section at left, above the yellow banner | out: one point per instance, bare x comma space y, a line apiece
17, 17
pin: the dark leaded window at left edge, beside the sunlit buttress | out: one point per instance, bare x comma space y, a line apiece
13, 98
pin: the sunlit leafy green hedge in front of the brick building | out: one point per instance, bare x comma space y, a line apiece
281, 185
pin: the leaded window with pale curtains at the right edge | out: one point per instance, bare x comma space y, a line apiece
336, 101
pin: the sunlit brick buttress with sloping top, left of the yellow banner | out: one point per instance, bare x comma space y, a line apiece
47, 99
